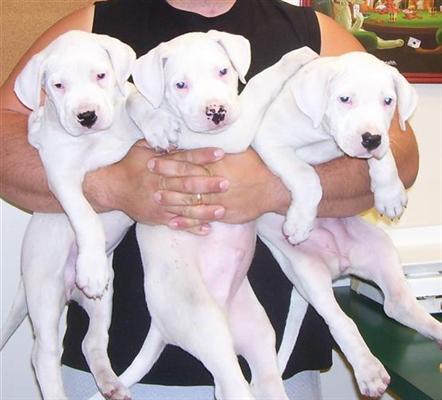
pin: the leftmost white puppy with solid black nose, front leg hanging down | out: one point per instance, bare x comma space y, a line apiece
83, 125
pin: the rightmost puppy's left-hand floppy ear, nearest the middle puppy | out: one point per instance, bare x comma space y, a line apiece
310, 89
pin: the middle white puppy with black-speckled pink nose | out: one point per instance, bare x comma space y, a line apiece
196, 287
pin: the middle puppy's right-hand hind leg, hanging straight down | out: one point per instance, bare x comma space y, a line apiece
254, 339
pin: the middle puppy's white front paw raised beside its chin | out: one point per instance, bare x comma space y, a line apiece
161, 130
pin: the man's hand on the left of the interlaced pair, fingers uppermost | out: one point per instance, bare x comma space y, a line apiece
130, 186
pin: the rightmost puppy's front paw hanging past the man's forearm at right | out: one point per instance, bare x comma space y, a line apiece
391, 201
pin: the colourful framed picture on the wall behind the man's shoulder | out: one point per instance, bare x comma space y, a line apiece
406, 34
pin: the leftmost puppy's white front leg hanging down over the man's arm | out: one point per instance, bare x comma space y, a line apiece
92, 274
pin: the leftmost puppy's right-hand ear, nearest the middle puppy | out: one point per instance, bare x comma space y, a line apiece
122, 58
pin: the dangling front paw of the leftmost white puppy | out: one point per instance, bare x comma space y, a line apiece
92, 274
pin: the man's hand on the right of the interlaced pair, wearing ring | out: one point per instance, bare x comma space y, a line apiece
252, 190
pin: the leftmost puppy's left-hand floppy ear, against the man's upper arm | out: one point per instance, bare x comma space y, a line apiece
28, 83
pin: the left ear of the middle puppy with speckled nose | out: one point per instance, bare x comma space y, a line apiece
148, 74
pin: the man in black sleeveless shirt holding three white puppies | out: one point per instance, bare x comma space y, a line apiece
188, 190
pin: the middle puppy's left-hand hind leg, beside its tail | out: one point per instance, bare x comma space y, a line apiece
201, 328
